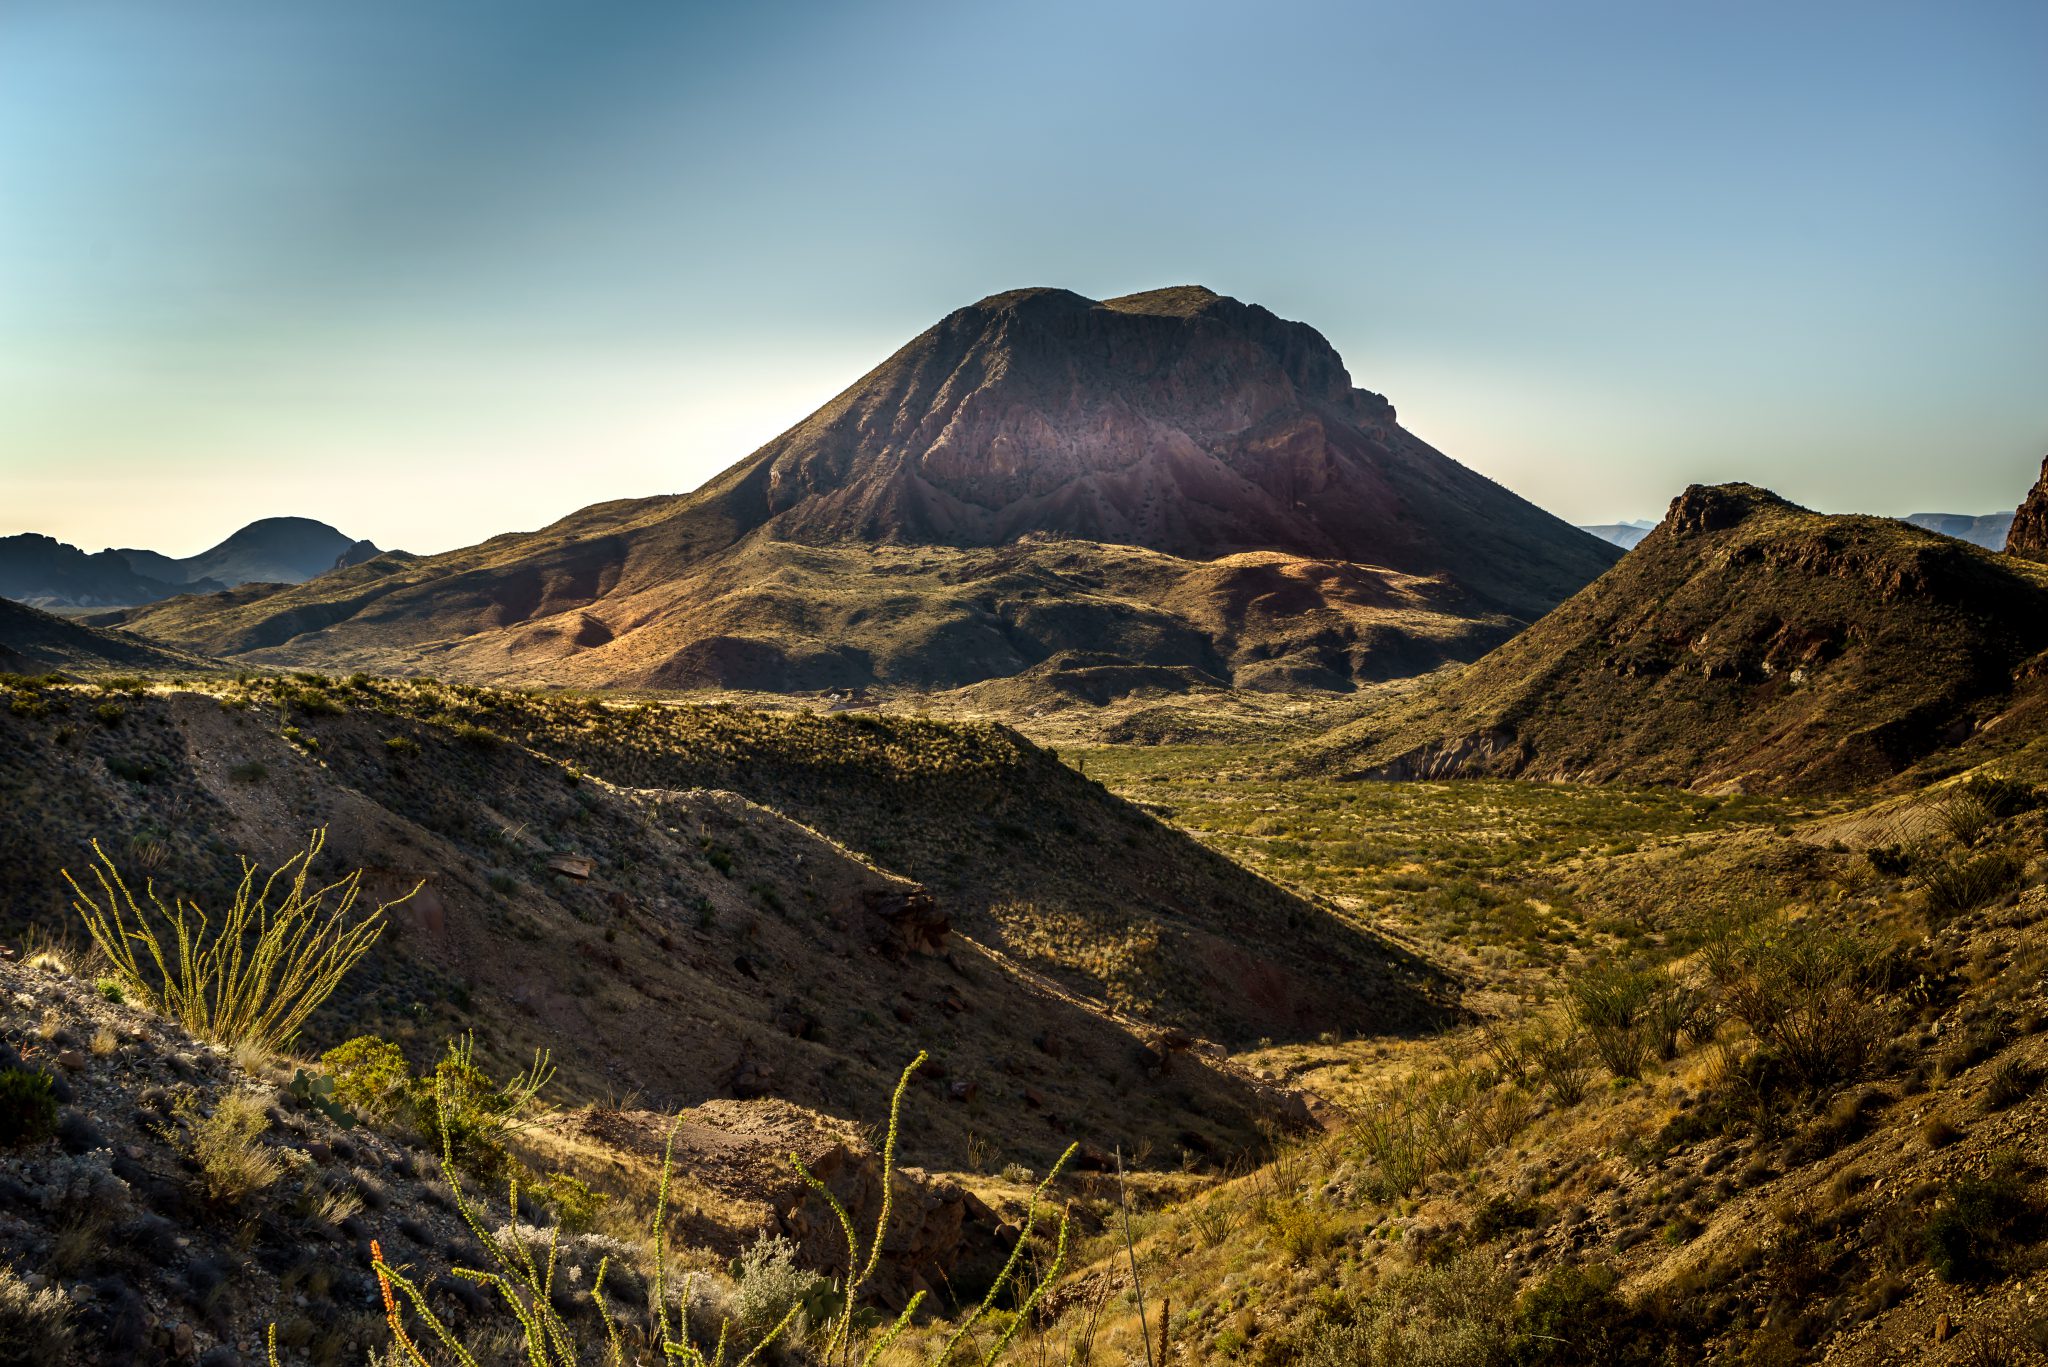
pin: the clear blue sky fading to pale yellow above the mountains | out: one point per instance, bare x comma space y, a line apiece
435, 270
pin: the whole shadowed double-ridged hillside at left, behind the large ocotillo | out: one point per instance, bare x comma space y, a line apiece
630, 890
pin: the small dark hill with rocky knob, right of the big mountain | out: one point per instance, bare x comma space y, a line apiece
1744, 645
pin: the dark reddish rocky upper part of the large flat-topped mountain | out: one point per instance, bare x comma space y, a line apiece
1179, 419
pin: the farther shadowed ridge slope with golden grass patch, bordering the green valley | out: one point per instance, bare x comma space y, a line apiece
1021, 852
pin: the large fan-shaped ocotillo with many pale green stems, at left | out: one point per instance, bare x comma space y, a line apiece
251, 979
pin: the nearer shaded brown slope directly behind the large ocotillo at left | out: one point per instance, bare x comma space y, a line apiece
669, 944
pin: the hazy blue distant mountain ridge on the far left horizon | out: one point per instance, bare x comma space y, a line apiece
278, 550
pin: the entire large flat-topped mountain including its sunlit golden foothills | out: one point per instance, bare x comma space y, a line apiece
1172, 479
